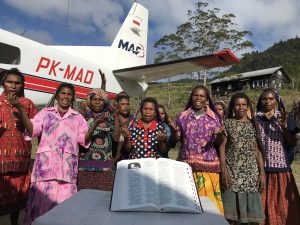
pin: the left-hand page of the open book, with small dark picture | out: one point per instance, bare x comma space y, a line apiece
135, 186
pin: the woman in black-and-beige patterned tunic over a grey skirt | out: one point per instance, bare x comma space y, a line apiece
243, 177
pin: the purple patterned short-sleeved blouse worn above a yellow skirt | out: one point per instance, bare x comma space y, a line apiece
198, 136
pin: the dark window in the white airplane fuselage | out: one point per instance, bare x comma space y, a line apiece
9, 54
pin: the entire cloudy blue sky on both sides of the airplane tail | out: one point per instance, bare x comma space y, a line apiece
96, 22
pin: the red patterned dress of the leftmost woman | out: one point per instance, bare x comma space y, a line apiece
15, 155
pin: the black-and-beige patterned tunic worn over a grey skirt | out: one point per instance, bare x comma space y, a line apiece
240, 155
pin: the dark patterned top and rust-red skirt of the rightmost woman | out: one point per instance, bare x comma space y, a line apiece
281, 196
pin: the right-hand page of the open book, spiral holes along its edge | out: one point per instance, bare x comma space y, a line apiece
176, 187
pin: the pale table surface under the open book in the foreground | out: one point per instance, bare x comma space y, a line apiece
91, 207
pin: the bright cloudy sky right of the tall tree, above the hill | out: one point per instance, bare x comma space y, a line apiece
269, 21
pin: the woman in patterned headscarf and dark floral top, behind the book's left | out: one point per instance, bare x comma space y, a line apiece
95, 162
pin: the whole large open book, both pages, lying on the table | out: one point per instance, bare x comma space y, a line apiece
149, 184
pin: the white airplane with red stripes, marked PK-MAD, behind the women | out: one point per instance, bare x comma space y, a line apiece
123, 63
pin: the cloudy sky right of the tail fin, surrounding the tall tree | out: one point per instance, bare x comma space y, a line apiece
269, 21
